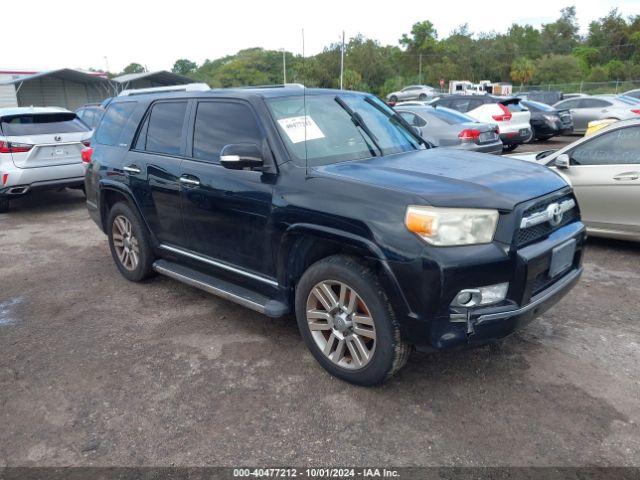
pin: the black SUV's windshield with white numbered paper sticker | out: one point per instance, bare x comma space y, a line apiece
333, 134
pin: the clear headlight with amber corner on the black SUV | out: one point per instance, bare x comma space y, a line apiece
452, 226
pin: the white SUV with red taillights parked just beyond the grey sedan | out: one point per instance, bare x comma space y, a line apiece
511, 118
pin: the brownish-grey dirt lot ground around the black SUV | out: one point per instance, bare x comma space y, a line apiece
95, 370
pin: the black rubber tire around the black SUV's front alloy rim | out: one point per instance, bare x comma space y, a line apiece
391, 352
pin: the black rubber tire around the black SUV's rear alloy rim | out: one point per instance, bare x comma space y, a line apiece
144, 266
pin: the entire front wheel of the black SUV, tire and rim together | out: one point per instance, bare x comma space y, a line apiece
345, 318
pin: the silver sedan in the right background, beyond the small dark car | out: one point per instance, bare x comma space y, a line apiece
586, 109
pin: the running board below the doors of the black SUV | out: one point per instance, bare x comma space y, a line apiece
222, 288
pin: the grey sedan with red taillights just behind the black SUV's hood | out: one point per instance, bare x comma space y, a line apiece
443, 127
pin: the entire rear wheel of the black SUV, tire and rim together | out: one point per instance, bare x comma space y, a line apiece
129, 243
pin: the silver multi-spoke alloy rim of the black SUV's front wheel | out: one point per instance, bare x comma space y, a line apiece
341, 324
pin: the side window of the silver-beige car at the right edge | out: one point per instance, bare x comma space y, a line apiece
612, 148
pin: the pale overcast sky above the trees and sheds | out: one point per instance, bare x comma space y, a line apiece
115, 33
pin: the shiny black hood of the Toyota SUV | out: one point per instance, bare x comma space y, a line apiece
452, 178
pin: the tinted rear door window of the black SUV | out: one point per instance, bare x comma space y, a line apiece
164, 133
